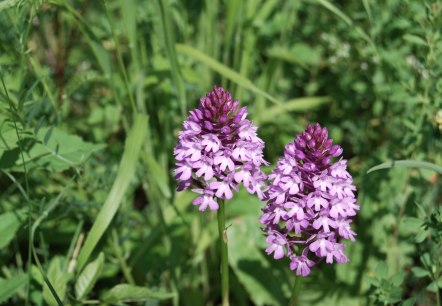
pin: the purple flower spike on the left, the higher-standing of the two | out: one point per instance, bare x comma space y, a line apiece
217, 150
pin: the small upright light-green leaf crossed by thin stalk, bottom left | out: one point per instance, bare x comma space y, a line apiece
58, 280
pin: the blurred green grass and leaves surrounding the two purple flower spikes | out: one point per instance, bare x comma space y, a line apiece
93, 94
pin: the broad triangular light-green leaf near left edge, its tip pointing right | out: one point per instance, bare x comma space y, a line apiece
57, 151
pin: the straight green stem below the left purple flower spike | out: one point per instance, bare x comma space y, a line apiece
224, 254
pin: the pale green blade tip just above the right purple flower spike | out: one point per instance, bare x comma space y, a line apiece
299, 104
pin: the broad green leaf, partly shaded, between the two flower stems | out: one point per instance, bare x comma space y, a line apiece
250, 266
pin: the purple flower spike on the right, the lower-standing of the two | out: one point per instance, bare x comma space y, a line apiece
311, 202
